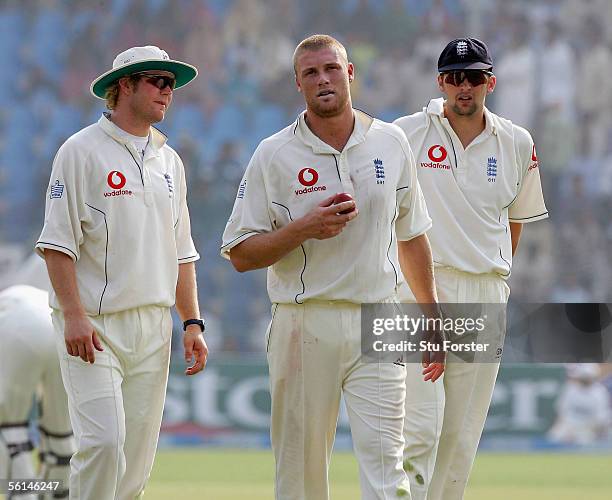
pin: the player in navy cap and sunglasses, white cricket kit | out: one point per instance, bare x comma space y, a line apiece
479, 174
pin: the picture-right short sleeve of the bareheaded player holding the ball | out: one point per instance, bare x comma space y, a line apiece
413, 218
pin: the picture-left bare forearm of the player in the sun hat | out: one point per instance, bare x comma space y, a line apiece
62, 273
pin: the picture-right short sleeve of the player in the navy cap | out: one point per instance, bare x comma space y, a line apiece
528, 206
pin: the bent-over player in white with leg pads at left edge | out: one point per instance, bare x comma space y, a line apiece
29, 371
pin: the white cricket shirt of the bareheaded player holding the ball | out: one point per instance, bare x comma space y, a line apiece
293, 171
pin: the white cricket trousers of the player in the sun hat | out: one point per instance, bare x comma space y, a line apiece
116, 404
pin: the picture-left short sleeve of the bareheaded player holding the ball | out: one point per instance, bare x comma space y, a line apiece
250, 214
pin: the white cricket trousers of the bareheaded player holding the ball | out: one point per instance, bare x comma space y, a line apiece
314, 355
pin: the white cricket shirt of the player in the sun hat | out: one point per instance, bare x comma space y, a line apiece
122, 219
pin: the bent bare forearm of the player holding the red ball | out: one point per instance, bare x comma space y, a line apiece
263, 250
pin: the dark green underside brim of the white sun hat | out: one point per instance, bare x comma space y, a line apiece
183, 73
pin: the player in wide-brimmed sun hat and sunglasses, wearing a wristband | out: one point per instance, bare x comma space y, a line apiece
118, 247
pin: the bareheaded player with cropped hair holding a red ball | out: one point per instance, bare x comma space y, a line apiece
322, 264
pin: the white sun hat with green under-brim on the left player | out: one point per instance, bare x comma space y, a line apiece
139, 59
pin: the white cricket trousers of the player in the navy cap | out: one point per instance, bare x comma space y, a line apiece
444, 420
